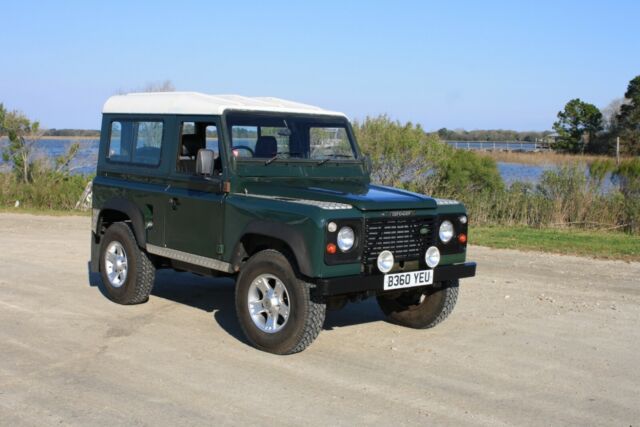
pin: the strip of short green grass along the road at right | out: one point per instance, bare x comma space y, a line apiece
597, 244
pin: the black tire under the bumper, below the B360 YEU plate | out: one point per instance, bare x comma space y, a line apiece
406, 310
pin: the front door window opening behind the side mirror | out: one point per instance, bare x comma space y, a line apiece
195, 136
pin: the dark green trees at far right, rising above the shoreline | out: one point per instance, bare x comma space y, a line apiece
582, 128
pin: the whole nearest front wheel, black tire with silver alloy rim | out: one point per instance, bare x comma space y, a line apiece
274, 307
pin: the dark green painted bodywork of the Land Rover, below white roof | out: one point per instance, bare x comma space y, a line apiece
193, 215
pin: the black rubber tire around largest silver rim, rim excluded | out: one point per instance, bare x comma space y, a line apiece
306, 316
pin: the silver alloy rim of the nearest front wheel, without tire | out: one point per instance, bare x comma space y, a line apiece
268, 302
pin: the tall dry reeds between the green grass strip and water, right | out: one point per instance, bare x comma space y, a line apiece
564, 197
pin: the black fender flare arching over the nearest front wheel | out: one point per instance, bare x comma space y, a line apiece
285, 233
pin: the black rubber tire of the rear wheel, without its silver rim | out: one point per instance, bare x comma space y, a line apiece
141, 271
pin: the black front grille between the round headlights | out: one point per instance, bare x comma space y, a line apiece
401, 236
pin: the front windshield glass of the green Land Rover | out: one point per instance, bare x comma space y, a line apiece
290, 137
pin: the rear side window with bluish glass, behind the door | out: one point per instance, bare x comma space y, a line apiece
138, 142
